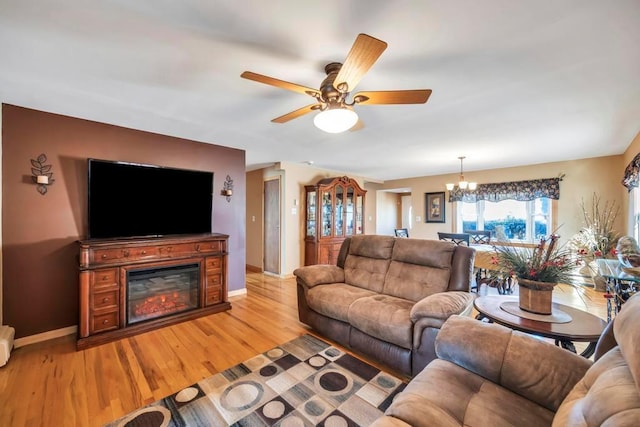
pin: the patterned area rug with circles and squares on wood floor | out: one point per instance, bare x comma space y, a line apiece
305, 382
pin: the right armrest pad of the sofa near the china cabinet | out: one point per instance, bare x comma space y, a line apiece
442, 305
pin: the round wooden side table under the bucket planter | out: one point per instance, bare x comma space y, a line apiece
583, 326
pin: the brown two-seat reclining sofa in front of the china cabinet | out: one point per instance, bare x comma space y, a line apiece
387, 297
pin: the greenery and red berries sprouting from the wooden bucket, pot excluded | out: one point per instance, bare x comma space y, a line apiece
544, 263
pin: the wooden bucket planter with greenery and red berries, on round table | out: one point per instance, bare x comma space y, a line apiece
537, 271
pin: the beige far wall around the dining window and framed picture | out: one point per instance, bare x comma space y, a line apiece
582, 178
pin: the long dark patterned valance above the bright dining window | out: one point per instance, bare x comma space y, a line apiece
516, 190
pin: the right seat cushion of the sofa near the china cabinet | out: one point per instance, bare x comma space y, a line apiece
384, 317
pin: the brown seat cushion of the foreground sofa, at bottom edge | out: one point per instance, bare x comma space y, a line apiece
444, 394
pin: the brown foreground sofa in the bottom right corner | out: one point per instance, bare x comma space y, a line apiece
489, 375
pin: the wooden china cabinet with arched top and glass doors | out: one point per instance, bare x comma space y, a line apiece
334, 211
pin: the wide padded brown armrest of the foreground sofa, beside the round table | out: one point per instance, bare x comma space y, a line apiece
530, 367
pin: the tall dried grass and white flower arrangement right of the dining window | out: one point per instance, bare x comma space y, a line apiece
597, 238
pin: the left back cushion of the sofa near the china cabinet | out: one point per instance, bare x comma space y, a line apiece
367, 261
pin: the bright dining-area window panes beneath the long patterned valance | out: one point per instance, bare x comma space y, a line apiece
526, 221
